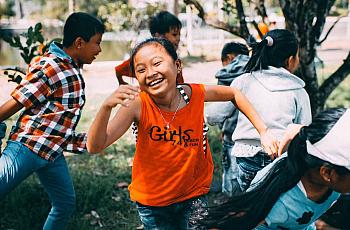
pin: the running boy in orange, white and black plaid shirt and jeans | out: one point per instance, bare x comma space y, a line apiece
53, 96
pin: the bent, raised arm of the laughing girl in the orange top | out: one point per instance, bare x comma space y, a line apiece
104, 132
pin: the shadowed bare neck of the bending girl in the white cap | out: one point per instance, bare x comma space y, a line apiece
315, 190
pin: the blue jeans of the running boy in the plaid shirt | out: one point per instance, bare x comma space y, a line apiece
18, 162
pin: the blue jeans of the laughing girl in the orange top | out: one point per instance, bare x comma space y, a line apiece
183, 215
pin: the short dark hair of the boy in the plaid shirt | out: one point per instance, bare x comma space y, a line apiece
82, 25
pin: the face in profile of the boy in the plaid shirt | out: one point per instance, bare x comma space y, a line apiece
89, 50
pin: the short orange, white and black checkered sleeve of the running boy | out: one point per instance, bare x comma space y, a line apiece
33, 90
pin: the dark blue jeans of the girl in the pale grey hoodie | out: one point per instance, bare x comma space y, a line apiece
249, 166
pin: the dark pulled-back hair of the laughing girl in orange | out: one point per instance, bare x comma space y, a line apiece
168, 46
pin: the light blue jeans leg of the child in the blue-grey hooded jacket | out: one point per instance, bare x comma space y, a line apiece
230, 184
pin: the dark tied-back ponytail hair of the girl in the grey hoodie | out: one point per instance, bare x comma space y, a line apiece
285, 45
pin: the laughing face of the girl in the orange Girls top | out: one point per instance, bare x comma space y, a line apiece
155, 69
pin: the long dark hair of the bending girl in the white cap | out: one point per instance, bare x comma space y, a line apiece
247, 210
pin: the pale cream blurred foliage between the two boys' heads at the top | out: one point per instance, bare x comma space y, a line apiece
119, 16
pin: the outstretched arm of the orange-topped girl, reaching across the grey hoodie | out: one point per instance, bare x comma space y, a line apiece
226, 93
